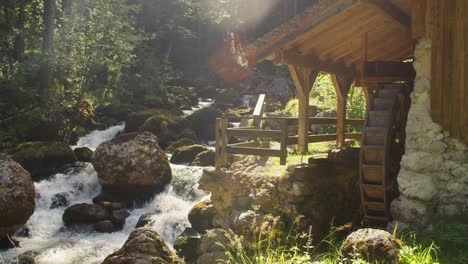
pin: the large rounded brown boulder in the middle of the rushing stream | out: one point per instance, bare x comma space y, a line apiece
132, 167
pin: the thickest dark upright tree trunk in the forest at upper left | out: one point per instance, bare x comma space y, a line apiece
47, 48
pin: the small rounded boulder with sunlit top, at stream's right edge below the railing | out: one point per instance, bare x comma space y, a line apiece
201, 216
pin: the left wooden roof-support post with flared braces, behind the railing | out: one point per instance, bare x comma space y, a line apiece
303, 80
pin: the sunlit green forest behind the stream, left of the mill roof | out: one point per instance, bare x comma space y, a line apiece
65, 62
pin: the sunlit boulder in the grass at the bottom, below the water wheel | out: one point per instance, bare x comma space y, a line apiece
373, 245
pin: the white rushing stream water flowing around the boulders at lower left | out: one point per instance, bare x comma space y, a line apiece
57, 244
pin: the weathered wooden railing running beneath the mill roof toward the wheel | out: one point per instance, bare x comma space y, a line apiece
252, 134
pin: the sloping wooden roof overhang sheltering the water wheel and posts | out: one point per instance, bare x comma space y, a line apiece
336, 35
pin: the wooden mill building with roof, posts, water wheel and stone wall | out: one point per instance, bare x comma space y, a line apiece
410, 57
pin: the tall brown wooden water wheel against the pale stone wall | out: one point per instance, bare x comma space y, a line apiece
383, 139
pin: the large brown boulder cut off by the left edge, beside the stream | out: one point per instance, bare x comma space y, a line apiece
17, 196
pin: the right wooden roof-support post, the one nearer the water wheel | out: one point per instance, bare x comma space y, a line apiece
342, 86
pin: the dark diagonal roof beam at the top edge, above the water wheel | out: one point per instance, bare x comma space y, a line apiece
388, 9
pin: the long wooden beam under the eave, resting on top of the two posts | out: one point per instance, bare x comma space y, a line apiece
312, 62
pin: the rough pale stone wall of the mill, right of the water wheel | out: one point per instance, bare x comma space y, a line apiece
433, 180
